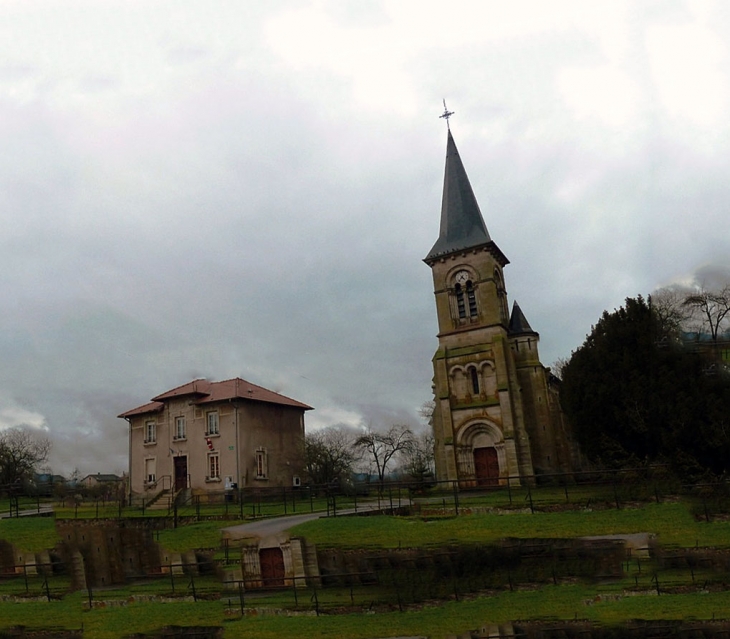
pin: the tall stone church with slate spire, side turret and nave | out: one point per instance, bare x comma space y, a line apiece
497, 417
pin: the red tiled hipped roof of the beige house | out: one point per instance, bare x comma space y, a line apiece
206, 392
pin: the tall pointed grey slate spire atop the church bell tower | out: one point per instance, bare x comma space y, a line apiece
462, 224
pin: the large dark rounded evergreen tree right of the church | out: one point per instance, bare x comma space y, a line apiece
635, 395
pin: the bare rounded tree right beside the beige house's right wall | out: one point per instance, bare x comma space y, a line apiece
328, 455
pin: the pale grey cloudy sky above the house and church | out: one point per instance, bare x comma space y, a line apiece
237, 188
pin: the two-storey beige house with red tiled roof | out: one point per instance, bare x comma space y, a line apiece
208, 436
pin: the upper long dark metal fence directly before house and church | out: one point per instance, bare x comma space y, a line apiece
593, 489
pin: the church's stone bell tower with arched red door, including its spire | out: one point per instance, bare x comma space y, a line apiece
478, 421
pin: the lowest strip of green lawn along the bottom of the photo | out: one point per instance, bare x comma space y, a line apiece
551, 602
